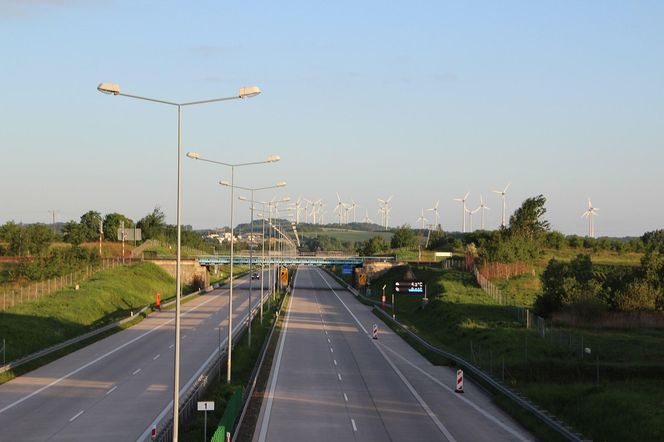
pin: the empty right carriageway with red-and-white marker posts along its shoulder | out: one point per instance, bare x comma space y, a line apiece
331, 381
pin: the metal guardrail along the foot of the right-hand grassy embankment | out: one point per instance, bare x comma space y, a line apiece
477, 373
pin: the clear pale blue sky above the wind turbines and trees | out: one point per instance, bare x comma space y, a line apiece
421, 100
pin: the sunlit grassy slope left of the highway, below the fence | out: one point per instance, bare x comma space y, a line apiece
104, 298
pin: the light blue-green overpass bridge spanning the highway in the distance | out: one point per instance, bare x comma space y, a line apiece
210, 260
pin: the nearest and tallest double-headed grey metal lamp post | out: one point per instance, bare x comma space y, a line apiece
245, 92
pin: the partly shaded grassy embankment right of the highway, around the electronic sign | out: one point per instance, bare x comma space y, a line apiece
626, 404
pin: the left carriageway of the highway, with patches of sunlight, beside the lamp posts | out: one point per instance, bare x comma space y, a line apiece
117, 388
